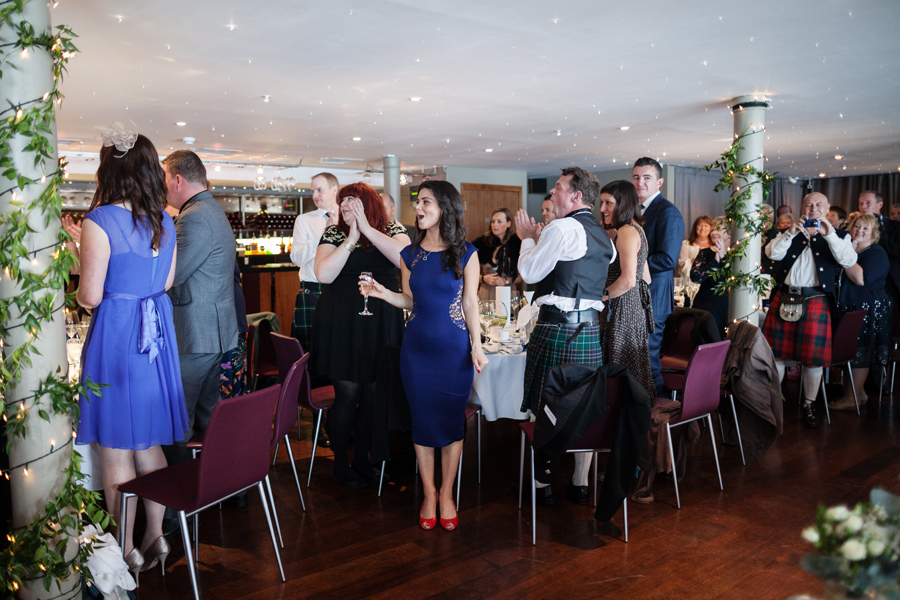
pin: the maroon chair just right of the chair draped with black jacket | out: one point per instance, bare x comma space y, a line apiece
699, 399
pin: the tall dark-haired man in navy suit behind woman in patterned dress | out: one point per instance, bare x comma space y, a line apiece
664, 228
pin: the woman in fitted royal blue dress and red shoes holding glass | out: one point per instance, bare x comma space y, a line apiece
442, 341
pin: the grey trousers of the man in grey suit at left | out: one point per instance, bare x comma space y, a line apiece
200, 379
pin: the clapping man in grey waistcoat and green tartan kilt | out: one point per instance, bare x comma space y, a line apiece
568, 259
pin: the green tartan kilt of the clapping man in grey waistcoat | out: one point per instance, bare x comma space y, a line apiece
547, 348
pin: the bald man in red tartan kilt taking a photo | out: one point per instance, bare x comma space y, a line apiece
806, 258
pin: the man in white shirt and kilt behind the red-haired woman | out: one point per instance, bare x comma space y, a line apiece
308, 229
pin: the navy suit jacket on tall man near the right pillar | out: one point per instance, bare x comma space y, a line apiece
664, 228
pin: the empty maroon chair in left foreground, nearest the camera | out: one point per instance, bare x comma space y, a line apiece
235, 458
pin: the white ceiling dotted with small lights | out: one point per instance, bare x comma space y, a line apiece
504, 75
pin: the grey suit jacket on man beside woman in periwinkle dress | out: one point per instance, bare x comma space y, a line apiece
203, 291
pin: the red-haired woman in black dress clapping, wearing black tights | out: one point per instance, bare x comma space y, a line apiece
345, 343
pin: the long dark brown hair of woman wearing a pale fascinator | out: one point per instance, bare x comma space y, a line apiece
137, 178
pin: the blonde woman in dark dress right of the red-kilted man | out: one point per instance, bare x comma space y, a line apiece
862, 288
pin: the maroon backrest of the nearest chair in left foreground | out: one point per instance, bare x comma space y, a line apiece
236, 444
